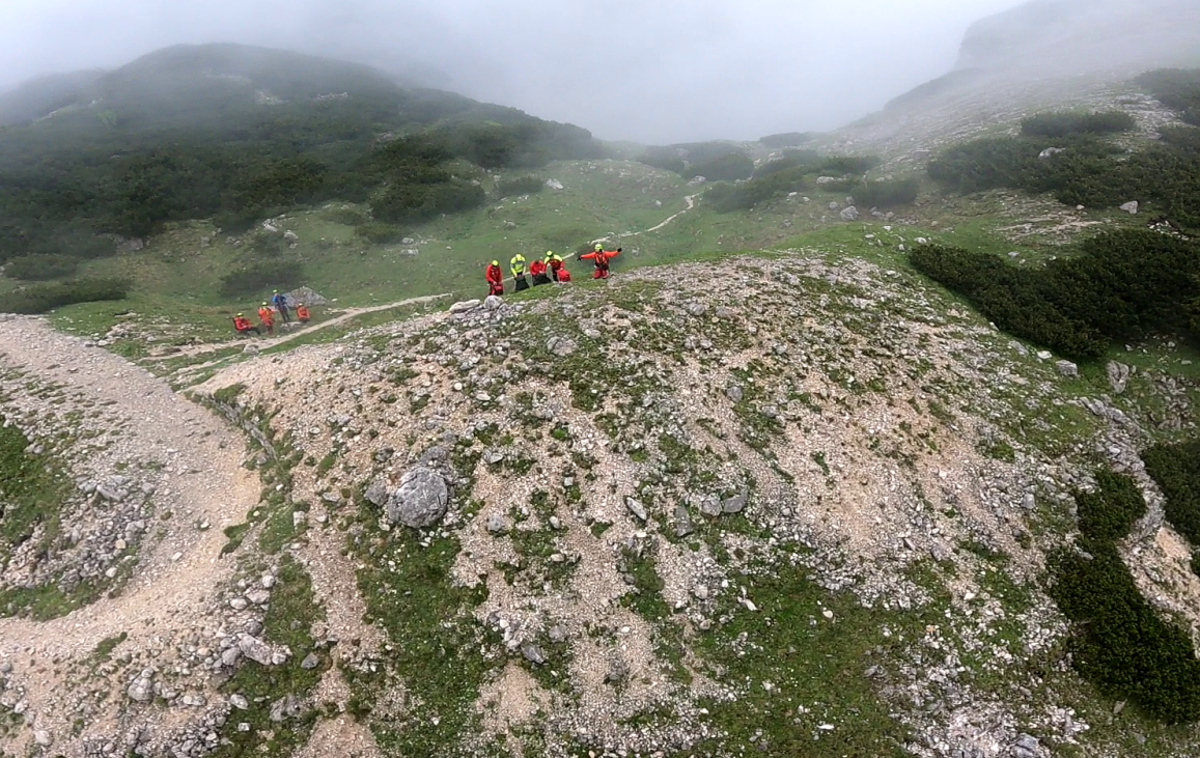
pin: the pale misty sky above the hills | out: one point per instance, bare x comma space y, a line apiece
652, 71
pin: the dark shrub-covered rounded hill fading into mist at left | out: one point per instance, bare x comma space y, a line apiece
241, 134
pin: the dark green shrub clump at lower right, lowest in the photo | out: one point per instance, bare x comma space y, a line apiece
1120, 643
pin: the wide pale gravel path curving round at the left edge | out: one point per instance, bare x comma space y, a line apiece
202, 480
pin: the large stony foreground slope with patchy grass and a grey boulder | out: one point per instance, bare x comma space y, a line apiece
790, 504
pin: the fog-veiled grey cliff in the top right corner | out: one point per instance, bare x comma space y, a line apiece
1051, 38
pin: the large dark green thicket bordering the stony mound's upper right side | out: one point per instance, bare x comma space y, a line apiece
1124, 286
